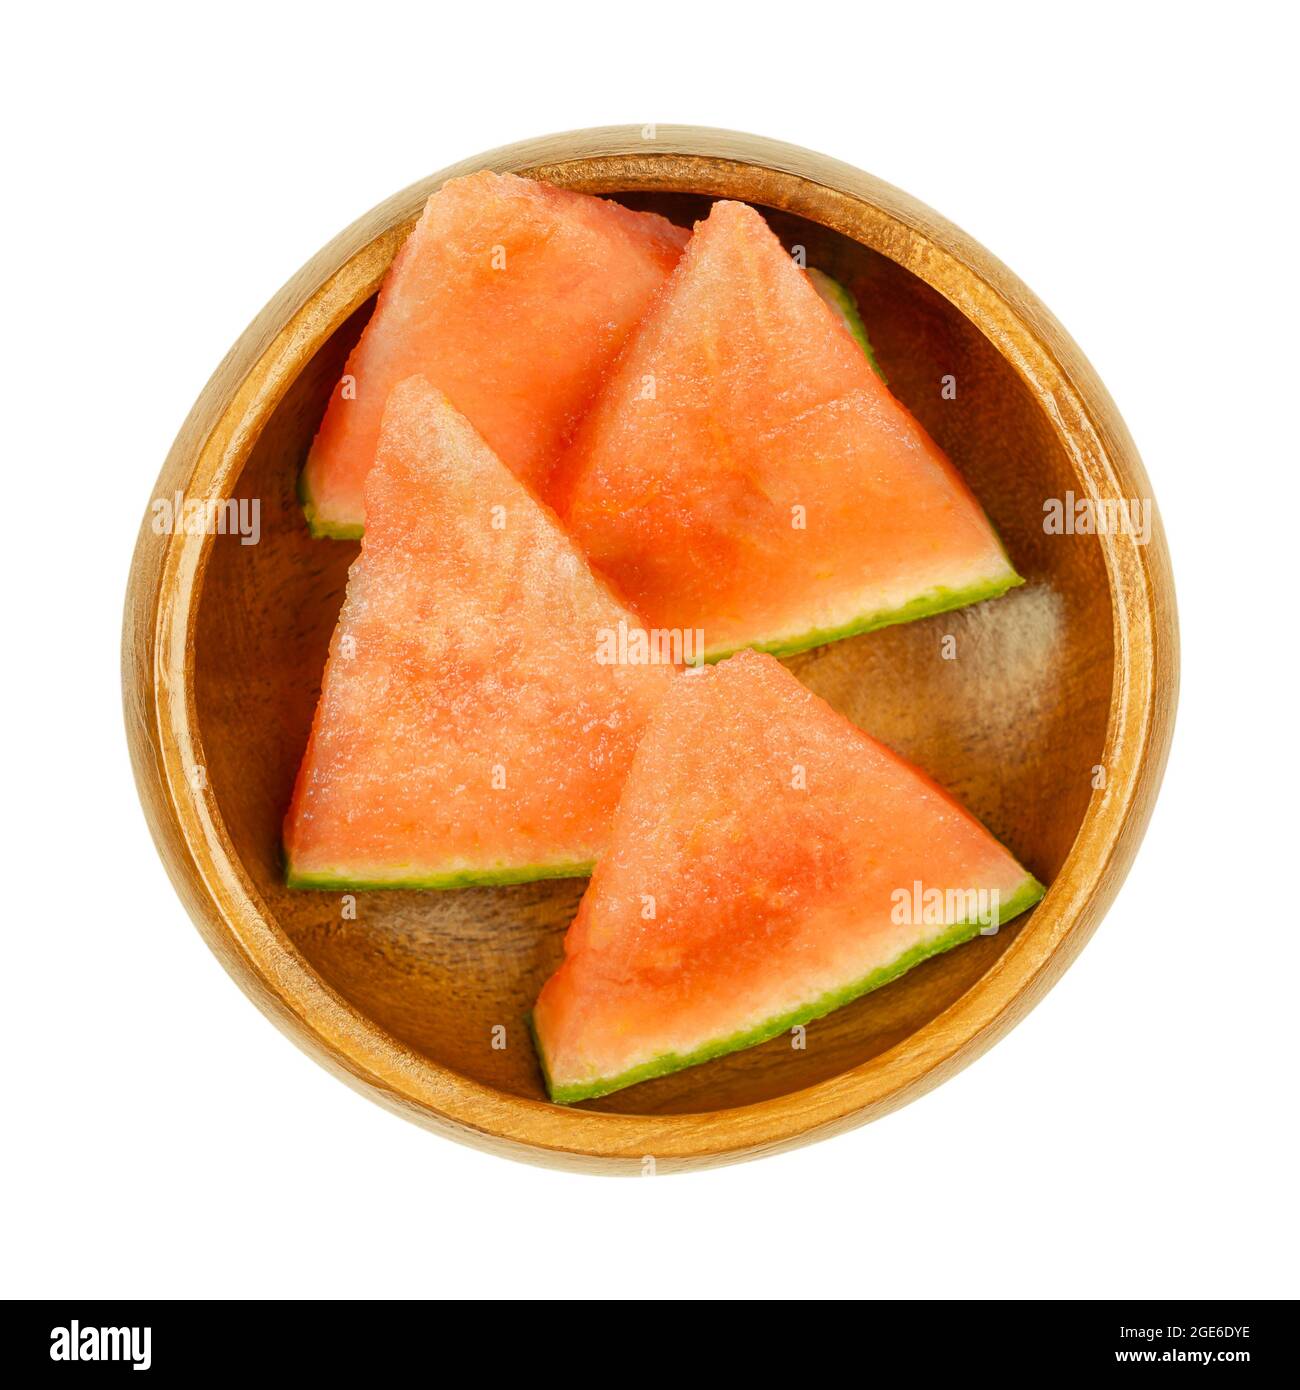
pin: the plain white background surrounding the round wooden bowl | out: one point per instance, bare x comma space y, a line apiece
168, 172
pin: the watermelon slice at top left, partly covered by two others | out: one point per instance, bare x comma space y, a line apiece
512, 298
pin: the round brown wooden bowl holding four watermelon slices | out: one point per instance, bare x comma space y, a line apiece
1050, 718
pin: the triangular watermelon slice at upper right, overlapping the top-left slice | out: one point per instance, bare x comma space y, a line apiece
746, 472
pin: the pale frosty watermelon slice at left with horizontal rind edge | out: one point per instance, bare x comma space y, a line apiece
468, 730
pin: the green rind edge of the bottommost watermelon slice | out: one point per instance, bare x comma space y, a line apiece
1023, 900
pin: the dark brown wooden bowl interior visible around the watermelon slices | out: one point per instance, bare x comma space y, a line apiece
1010, 717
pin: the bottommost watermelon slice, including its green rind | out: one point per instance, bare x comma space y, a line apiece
768, 864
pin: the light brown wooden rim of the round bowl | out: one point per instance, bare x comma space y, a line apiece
218, 439
